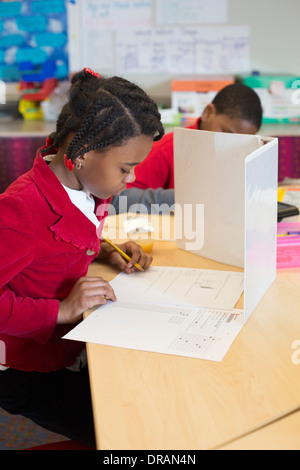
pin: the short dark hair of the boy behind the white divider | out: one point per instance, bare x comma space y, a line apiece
239, 101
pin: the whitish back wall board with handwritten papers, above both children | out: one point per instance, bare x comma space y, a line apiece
153, 41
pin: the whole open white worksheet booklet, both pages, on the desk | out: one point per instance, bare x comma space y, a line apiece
173, 312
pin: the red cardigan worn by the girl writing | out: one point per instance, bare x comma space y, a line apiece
45, 246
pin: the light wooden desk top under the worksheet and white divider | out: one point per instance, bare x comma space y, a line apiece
145, 400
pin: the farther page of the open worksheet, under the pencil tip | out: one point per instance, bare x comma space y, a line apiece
181, 286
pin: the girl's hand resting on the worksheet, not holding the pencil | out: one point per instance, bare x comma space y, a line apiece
86, 293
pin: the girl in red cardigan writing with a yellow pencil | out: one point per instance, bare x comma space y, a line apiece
50, 229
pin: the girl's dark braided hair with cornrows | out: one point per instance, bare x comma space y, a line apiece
103, 112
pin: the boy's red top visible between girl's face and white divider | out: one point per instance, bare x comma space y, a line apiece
157, 170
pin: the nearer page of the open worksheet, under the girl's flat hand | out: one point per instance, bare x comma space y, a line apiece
183, 331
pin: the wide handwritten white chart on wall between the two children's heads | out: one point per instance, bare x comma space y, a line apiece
202, 50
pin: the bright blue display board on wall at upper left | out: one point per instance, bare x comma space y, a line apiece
33, 39
